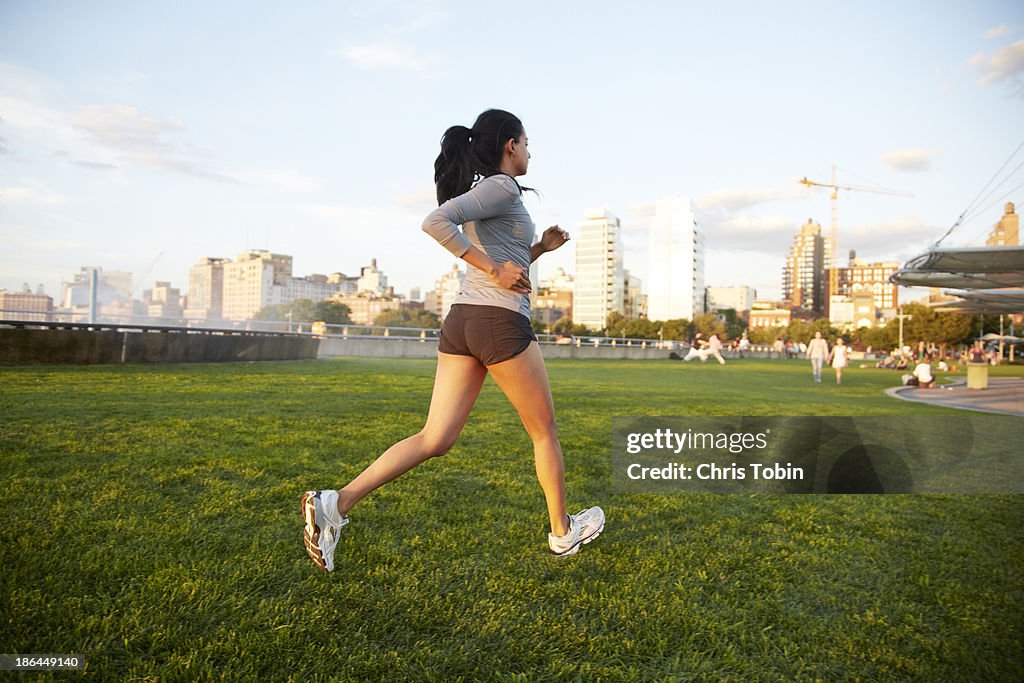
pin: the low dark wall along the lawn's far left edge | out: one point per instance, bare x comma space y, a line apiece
20, 348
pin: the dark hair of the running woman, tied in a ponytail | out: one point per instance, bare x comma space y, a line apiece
471, 154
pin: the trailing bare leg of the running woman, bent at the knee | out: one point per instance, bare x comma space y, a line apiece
457, 385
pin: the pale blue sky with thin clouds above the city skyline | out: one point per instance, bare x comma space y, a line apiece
143, 137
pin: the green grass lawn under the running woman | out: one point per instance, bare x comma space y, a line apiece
152, 526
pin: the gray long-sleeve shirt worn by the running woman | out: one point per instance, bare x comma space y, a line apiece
495, 222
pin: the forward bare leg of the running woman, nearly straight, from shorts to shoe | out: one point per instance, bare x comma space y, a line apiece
525, 381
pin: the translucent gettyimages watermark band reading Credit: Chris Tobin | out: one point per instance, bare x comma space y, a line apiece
970, 454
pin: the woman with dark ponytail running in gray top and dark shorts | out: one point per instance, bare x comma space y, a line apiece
488, 331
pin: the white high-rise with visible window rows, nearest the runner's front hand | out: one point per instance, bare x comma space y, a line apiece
601, 281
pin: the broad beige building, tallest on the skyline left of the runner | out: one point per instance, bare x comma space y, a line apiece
257, 280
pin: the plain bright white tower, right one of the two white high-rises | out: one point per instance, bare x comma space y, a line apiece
675, 274
